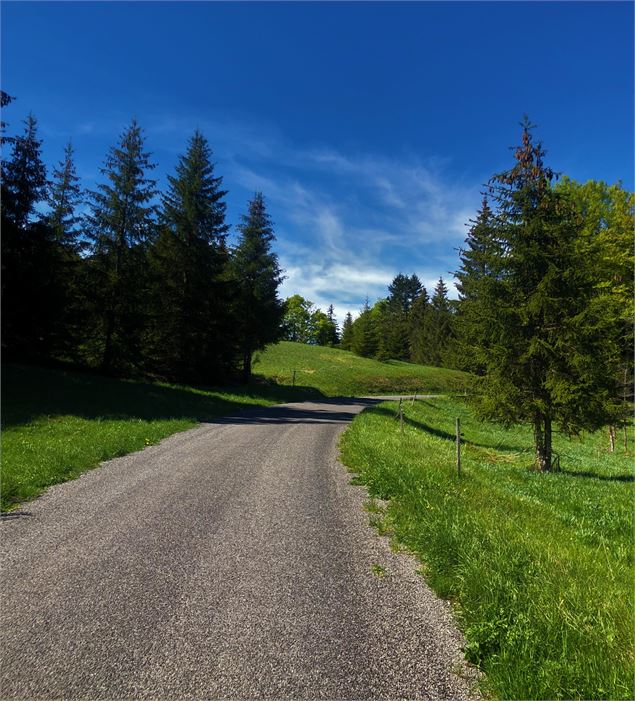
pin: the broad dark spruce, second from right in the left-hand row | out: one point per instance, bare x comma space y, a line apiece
193, 337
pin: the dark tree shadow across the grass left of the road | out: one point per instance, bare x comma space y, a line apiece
30, 392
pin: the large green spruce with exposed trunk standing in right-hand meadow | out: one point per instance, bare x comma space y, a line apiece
539, 341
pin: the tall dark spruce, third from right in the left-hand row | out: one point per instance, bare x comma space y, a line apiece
120, 226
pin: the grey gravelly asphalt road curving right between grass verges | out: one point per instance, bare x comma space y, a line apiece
233, 560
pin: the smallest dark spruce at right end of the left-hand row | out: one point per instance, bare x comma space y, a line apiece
258, 309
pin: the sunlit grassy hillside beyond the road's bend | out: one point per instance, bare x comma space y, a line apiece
341, 373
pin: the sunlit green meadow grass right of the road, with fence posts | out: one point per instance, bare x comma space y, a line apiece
539, 567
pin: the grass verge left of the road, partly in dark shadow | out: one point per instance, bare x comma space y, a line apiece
57, 424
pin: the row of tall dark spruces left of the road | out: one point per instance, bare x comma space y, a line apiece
127, 279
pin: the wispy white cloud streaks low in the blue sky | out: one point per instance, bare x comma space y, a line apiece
346, 223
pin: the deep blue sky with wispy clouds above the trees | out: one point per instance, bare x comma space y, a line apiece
369, 127
